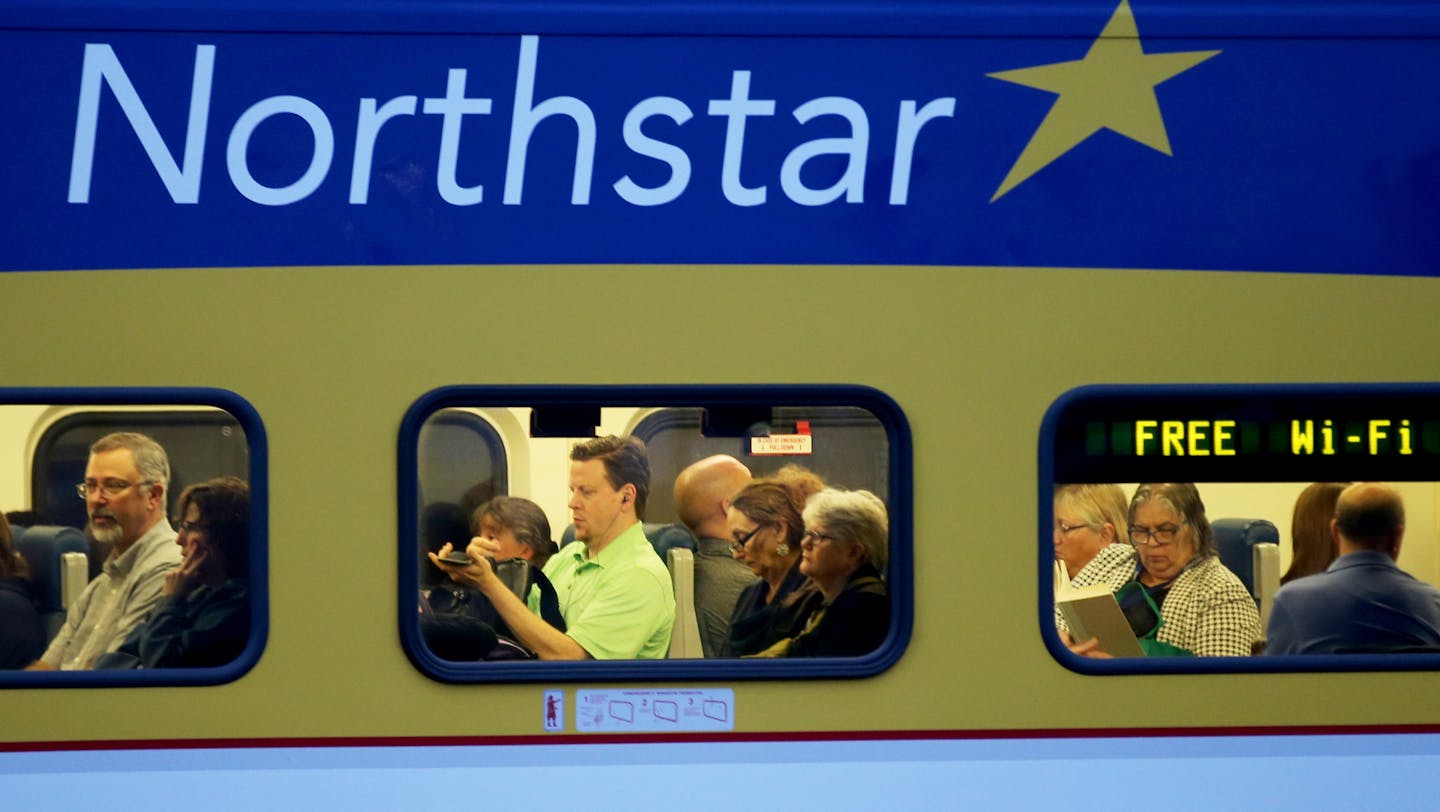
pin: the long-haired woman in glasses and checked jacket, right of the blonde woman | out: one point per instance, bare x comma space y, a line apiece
1182, 601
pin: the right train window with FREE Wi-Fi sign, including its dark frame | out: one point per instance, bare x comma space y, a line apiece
1249, 454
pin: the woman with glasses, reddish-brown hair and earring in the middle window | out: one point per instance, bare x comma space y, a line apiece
767, 525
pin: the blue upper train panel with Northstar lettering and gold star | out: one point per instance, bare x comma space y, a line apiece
1130, 135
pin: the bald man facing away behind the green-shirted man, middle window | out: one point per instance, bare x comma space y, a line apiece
703, 495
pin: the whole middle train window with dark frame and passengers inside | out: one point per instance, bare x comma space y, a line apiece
633, 585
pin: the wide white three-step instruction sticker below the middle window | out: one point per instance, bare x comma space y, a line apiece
654, 710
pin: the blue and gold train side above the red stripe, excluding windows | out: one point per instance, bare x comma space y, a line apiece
332, 212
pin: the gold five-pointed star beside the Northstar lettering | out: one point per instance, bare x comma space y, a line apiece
1112, 89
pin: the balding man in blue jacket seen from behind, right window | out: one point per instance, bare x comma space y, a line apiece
1363, 603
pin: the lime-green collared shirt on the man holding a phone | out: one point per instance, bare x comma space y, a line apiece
618, 605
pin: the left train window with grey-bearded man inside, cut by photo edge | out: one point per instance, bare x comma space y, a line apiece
192, 608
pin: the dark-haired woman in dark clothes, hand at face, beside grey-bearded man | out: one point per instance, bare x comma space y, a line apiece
205, 618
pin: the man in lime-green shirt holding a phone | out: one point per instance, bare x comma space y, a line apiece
614, 592
